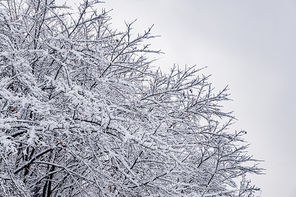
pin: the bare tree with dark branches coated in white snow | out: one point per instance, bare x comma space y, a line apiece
83, 113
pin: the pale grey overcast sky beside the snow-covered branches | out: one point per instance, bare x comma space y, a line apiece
248, 45
